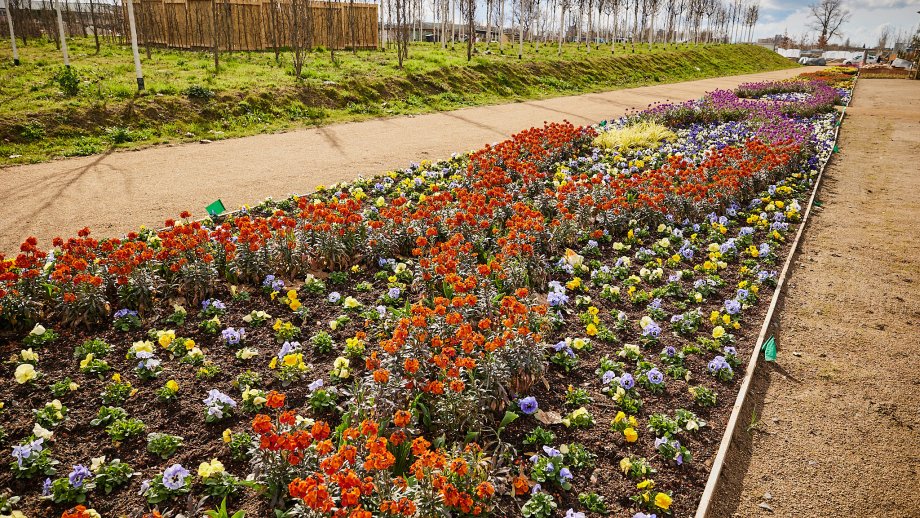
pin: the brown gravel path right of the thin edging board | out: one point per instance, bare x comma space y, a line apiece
839, 413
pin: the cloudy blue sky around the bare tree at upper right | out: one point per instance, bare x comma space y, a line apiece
868, 18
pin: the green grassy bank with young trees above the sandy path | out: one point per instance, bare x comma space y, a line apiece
185, 100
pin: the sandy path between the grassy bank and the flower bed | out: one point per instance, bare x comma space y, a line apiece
119, 192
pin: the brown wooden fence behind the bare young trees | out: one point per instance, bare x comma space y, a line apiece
253, 24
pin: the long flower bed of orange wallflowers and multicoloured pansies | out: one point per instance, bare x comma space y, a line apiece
550, 325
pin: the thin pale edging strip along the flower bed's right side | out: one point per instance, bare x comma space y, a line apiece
714, 480
